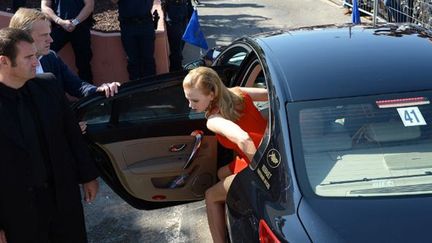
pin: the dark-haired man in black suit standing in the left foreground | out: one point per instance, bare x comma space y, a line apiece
43, 155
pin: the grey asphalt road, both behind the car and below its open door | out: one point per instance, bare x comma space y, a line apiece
108, 218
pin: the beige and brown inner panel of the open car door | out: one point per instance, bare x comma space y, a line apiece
147, 167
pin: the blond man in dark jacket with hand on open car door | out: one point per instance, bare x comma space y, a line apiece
38, 26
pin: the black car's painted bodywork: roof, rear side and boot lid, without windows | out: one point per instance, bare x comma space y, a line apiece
311, 64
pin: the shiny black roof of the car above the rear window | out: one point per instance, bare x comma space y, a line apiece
348, 61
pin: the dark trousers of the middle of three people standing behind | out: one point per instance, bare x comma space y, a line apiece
138, 41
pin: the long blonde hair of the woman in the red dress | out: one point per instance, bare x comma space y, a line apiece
229, 102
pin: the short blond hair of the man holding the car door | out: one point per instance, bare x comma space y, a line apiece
25, 17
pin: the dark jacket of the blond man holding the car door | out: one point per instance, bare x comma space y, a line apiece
69, 81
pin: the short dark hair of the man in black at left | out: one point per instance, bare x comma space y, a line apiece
9, 38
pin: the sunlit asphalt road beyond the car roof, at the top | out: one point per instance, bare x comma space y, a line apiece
223, 21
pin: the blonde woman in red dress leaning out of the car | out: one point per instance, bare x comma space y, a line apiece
238, 125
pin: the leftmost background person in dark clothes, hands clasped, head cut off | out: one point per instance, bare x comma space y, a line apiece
72, 23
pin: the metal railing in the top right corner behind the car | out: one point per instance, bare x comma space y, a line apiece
400, 11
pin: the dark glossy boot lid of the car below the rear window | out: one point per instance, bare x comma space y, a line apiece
372, 220
